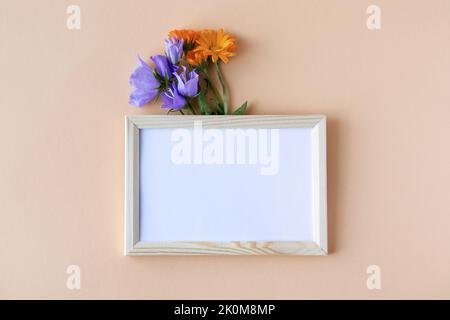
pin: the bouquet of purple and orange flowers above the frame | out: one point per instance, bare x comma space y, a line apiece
182, 76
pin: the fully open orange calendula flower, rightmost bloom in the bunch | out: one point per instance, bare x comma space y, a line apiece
216, 44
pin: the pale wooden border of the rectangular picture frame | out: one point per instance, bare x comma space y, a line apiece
133, 246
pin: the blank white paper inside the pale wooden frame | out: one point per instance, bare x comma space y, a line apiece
200, 202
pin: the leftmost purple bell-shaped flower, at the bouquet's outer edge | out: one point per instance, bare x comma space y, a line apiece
145, 86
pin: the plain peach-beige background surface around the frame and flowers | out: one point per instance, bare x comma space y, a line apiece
386, 93
